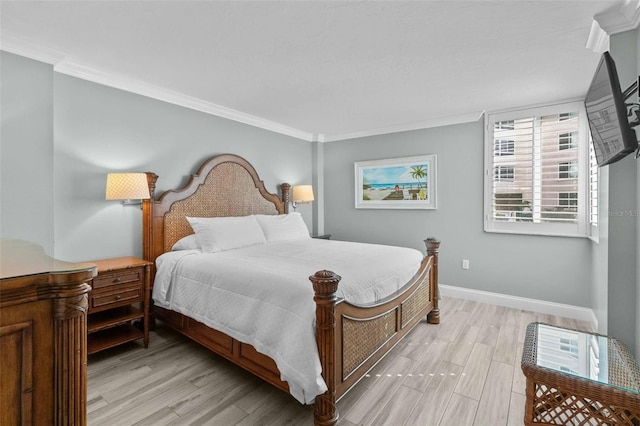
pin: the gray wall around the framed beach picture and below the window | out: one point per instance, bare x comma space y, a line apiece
554, 269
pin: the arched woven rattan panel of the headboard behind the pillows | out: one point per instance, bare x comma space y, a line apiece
228, 190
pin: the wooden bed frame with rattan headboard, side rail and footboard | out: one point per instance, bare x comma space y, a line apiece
351, 339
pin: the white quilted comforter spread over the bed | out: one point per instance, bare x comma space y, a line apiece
261, 295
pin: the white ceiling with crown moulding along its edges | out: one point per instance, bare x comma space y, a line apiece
322, 70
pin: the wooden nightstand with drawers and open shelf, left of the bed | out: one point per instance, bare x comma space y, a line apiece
119, 296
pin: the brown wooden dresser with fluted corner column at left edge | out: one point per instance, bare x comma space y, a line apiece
43, 340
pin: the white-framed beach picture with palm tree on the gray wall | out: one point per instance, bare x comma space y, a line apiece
397, 183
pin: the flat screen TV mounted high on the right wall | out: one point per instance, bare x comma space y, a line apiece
613, 138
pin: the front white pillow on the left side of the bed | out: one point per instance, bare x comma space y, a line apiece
216, 234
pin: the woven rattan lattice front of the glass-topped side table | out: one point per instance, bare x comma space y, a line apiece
553, 406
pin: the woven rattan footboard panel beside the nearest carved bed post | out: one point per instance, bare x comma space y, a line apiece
360, 339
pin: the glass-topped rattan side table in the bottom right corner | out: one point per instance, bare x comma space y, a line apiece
578, 378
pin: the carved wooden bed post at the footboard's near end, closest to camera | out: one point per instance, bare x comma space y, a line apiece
325, 285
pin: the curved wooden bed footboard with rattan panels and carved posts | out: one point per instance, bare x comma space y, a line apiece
352, 339
